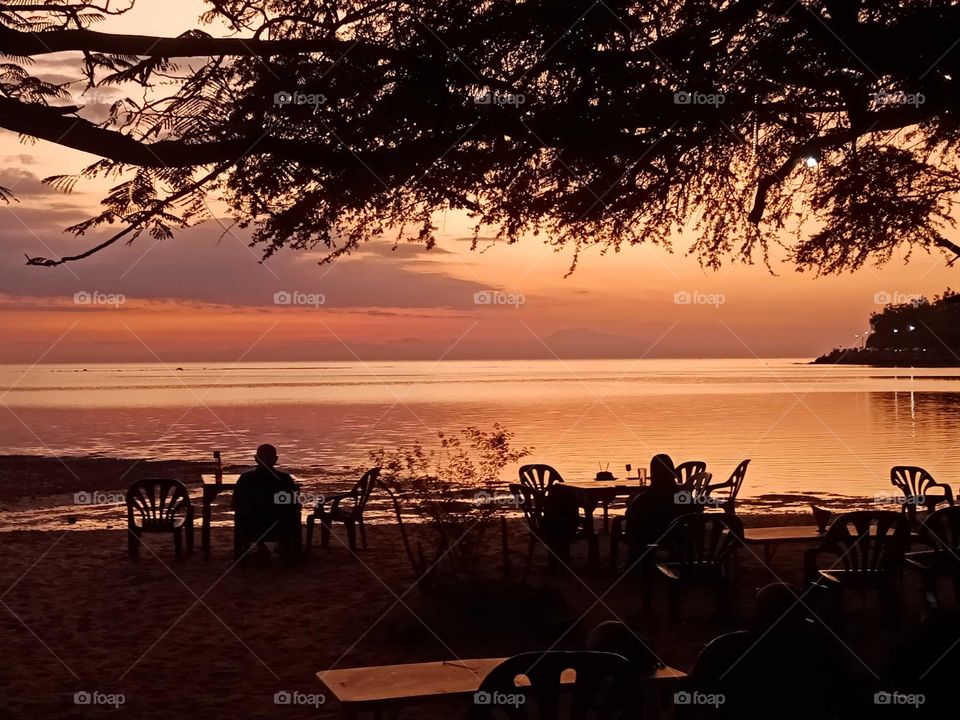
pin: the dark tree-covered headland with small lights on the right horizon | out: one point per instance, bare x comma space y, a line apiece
920, 332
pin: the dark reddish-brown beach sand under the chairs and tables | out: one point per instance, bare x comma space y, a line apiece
208, 638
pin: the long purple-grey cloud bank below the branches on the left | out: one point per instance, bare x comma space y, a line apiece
199, 266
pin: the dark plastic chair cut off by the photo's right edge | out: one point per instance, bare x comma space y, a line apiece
940, 532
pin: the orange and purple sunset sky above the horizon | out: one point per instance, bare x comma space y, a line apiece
204, 296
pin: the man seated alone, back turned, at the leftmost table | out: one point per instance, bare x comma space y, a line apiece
266, 508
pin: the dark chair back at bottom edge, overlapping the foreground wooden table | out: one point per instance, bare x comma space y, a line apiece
603, 688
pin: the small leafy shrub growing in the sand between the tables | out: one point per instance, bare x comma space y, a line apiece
454, 494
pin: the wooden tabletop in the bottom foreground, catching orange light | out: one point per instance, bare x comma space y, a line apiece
388, 686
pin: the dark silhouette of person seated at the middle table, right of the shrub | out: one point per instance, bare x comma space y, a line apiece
652, 511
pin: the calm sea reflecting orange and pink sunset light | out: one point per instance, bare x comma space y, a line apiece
807, 428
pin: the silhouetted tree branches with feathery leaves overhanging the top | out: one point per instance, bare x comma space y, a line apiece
829, 127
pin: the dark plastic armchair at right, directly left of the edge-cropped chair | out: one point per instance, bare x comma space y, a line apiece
867, 549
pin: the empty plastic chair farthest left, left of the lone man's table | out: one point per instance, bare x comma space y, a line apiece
159, 506
